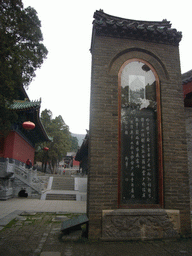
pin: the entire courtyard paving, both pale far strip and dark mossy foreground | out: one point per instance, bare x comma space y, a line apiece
36, 231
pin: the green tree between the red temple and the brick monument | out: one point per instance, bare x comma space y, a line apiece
61, 139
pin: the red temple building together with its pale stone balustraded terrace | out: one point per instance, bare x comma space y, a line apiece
18, 146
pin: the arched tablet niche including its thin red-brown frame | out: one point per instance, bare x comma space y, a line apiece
140, 136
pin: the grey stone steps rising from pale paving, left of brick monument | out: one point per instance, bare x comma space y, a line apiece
62, 189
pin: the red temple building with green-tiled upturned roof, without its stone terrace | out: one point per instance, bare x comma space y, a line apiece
19, 144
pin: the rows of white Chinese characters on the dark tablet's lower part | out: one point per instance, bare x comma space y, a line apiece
139, 161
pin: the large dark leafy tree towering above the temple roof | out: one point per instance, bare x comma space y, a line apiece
21, 52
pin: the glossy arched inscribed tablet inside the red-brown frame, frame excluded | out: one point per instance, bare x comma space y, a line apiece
138, 135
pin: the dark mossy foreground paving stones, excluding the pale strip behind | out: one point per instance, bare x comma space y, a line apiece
39, 234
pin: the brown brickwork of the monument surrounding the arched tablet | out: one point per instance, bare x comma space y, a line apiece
108, 55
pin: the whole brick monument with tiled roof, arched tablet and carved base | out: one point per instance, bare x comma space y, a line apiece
138, 184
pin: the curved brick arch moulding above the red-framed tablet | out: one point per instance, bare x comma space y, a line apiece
138, 53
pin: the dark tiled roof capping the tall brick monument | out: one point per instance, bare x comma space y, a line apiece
160, 32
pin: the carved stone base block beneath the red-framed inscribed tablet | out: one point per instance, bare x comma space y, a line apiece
136, 224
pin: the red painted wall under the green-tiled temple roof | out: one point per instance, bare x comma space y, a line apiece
17, 148
